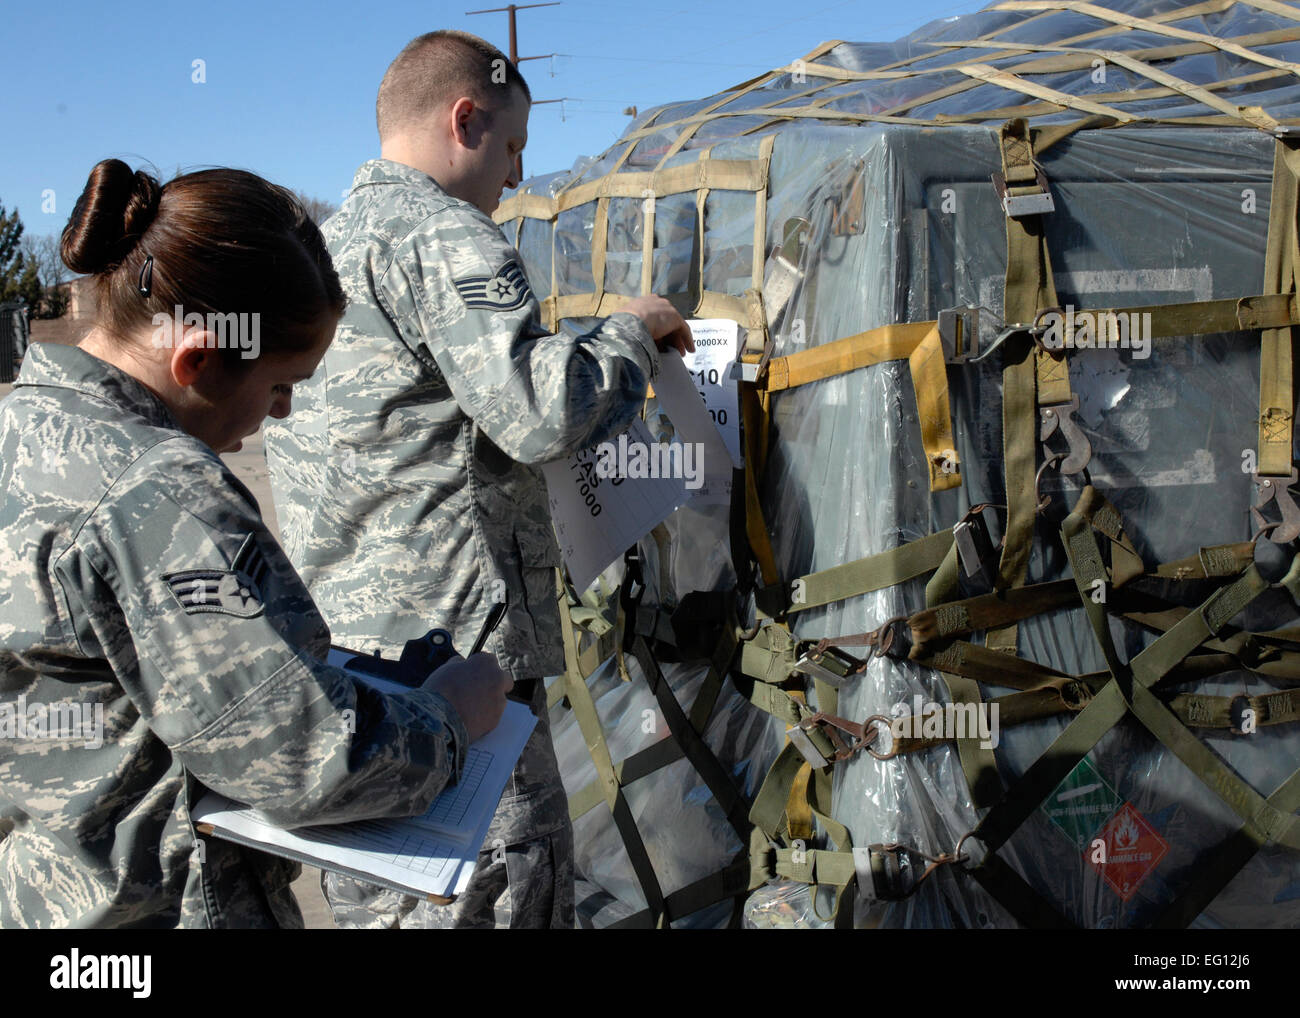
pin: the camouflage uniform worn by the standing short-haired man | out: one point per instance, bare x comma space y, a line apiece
408, 476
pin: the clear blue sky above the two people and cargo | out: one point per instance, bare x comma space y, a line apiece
289, 88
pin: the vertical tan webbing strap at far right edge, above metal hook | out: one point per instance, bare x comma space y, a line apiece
1281, 265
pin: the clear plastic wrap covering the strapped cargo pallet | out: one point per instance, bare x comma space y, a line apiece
872, 223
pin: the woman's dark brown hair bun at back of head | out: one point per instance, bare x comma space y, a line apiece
111, 216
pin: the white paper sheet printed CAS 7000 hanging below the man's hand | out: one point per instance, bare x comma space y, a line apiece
596, 518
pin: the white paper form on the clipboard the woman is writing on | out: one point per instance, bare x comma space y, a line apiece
430, 855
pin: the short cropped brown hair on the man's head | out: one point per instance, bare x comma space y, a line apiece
437, 70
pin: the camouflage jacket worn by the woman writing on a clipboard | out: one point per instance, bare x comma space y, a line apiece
140, 581
